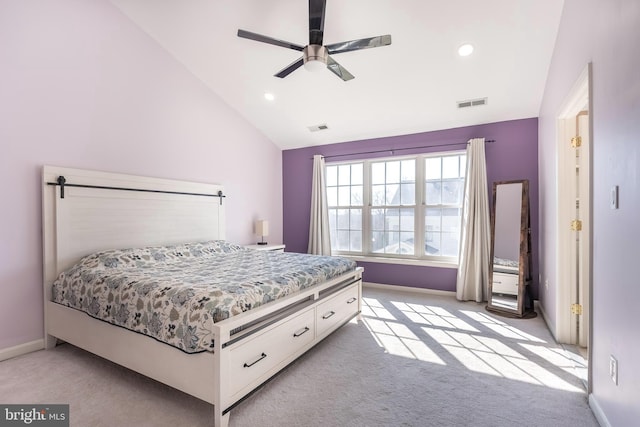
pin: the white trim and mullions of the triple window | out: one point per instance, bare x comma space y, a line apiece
420, 207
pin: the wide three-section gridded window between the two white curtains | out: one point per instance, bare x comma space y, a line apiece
407, 207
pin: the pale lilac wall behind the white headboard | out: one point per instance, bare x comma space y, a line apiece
81, 86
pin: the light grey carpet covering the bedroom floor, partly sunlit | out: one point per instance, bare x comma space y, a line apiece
413, 360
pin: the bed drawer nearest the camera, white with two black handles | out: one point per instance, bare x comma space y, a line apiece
256, 358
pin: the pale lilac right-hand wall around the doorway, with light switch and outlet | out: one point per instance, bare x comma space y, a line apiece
605, 33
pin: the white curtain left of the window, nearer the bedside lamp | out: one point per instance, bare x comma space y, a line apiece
319, 237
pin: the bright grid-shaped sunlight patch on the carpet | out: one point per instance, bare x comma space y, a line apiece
414, 331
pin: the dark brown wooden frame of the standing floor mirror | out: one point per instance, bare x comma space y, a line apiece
524, 306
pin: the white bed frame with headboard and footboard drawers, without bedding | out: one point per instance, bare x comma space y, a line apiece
88, 211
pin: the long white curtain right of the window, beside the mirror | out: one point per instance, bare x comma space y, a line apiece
475, 243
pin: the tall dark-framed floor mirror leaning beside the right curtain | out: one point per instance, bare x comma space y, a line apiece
510, 272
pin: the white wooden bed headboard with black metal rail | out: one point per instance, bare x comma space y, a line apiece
90, 219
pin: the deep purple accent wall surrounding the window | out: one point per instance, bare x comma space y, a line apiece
513, 155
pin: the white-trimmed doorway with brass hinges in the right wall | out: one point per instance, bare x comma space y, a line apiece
574, 219
